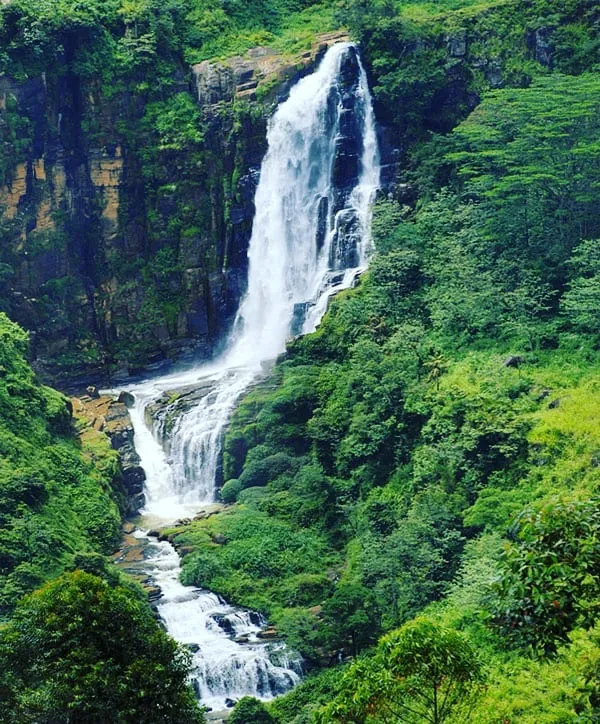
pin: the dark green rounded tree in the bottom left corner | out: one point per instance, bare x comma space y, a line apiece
80, 648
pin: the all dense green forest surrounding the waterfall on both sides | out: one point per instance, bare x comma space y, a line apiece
413, 491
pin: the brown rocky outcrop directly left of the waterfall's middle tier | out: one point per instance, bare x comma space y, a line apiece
107, 415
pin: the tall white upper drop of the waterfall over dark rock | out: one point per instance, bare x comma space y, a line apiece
312, 204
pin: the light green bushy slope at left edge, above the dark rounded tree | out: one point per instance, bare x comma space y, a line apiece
58, 494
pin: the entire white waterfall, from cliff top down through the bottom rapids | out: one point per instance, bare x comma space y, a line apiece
310, 239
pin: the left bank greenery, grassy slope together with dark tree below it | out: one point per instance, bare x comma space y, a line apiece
85, 646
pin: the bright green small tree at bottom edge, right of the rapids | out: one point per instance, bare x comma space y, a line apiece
420, 673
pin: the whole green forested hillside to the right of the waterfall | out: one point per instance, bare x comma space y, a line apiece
432, 447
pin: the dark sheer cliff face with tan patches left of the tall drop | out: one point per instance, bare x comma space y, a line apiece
126, 220
